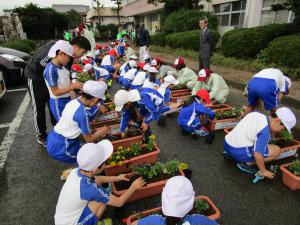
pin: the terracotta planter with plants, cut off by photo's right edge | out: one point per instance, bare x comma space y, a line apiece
291, 175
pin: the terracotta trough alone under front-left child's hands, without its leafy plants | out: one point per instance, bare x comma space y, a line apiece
148, 190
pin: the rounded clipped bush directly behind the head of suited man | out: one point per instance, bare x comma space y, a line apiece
186, 20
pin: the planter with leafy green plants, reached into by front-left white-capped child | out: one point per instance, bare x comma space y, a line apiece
156, 176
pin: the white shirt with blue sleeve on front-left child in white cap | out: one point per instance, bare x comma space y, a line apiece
74, 196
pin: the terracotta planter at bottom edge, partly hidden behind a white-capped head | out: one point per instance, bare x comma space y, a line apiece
214, 216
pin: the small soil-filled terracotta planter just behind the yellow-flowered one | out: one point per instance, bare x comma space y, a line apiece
132, 136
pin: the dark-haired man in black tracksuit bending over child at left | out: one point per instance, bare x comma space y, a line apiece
37, 87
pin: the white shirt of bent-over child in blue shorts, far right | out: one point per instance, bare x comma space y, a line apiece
274, 74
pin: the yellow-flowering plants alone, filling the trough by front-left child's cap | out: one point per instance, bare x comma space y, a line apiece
133, 150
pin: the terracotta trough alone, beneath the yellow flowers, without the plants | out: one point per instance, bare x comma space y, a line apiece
147, 158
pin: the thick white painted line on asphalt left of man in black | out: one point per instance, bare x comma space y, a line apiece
12, 131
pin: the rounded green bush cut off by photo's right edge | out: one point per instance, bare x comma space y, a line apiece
284, 51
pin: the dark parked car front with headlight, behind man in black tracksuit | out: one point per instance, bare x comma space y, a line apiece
12, 64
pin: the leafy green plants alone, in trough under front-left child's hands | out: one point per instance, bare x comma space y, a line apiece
158, 169
